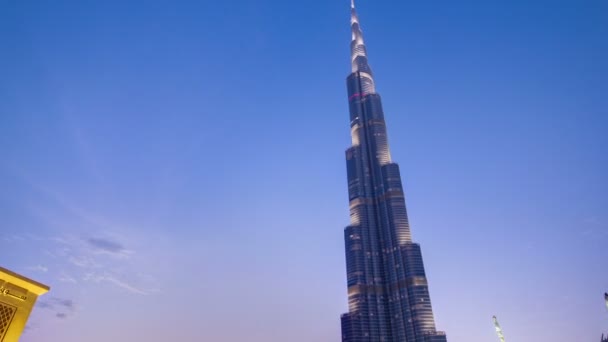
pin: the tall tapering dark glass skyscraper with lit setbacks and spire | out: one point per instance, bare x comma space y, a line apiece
388, 294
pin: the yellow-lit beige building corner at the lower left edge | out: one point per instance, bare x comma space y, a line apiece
18, 295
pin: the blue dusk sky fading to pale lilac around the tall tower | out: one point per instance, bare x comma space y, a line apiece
175, 170
